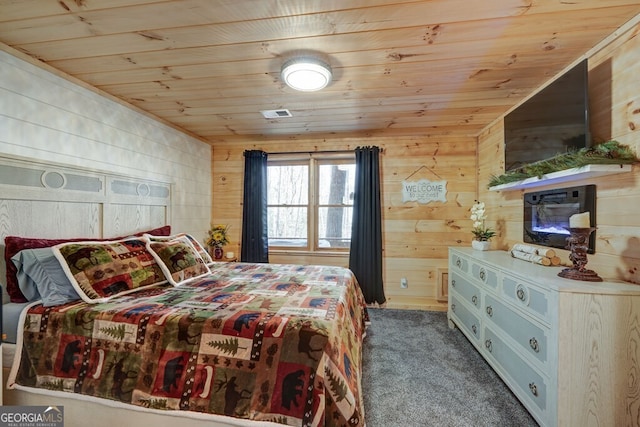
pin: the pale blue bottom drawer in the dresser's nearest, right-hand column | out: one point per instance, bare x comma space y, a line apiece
525, 381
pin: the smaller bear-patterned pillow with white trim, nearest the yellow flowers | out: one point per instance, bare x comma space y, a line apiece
178, 259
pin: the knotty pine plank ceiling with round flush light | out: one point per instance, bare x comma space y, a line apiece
400, 67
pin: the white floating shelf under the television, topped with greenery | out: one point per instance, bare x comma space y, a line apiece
575, 174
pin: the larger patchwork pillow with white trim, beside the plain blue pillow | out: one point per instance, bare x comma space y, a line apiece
100, 270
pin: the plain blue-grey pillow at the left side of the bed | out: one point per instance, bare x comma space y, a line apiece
40, 276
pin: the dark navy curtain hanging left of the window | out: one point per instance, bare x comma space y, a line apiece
255, 244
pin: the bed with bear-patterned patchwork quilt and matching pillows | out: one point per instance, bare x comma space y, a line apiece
177, 335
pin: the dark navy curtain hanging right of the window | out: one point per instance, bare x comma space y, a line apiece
365, 256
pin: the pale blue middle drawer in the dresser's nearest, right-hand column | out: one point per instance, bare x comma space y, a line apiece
532, 338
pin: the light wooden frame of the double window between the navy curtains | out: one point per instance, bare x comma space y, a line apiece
313, 162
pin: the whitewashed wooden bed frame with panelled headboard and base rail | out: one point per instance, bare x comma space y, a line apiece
55, 201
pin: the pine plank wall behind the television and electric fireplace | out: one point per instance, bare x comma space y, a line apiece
614, 92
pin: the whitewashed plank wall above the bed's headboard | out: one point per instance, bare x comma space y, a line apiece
48, 117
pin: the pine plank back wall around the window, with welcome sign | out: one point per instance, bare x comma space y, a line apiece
415, 236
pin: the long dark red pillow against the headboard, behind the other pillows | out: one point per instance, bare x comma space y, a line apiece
15, 244
